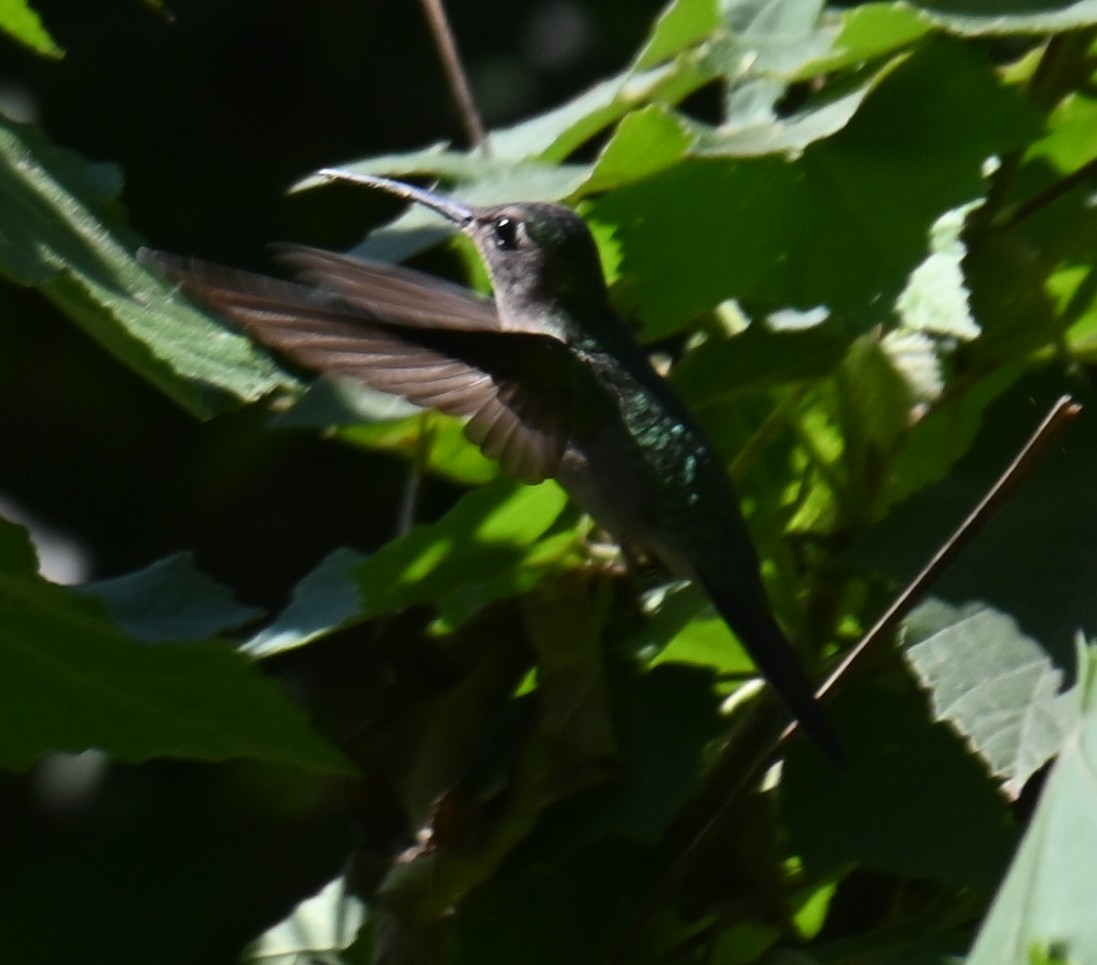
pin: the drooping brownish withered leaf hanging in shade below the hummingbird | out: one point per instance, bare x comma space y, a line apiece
571, 747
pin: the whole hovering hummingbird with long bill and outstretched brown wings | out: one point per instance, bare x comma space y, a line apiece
551, 380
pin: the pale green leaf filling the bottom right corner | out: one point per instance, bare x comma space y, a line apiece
1044, 910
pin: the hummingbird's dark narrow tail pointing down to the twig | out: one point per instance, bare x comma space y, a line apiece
773, 655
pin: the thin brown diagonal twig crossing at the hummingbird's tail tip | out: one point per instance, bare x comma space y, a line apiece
1060, 414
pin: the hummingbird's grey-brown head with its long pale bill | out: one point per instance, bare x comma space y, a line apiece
542, 258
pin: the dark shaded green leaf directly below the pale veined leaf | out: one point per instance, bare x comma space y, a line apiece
910, 800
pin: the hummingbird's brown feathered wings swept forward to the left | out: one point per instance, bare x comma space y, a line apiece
524, 393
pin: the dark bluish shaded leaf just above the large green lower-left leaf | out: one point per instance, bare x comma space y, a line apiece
172, 600
